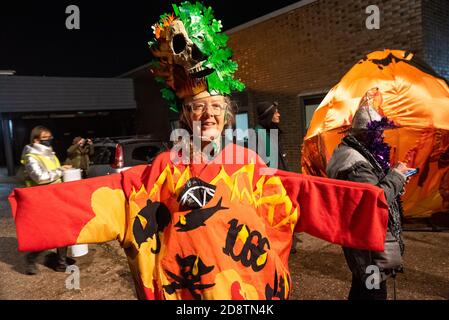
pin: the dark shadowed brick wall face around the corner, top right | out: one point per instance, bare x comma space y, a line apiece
435, 15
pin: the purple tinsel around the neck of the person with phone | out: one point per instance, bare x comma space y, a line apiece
376, 145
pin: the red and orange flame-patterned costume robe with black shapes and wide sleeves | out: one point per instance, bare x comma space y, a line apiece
234, 247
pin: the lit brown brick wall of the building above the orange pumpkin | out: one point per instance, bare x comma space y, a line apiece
308, 50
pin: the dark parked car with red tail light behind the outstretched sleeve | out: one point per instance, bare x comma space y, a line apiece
116, 154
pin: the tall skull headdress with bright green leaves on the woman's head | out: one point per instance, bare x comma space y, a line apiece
192, 56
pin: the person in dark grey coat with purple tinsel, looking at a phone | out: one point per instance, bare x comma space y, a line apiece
363, 156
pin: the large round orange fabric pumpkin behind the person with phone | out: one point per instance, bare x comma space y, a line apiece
416, 99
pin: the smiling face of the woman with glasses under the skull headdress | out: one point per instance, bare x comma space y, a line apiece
209, 114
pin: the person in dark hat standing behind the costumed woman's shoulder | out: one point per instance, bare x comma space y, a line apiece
268, 117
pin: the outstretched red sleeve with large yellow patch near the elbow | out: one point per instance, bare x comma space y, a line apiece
85, 211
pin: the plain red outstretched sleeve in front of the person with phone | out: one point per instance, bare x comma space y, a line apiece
346, 213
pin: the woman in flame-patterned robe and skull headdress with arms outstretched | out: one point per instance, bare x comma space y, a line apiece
207, 220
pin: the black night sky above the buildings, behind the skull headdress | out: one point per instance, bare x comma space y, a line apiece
112, 38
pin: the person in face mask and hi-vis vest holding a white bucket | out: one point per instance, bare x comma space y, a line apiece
42, 167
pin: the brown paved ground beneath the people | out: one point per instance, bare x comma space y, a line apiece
318, 269
